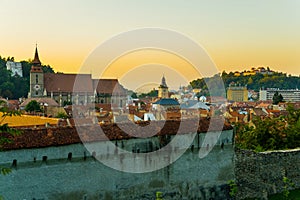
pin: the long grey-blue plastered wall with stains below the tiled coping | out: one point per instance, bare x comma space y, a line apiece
85, 178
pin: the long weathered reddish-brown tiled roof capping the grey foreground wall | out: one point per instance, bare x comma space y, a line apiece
56, 136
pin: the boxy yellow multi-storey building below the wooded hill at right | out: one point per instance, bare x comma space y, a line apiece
237, 93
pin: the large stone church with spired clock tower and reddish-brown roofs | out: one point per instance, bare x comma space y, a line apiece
76, 89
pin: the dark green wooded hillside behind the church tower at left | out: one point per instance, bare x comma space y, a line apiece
14, 86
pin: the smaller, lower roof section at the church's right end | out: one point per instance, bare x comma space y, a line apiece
108, 86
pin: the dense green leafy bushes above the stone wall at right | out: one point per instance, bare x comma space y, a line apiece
271, 133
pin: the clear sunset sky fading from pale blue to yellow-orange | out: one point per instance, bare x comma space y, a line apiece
235, 34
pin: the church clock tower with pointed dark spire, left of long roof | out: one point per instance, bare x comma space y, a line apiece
36, 77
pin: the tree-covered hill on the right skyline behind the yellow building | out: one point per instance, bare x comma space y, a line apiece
253, 82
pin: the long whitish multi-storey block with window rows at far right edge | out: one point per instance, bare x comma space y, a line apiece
289, 95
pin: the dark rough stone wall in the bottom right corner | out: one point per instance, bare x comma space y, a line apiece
261, 174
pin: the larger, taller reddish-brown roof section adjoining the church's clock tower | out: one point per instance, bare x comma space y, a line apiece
65, 82
